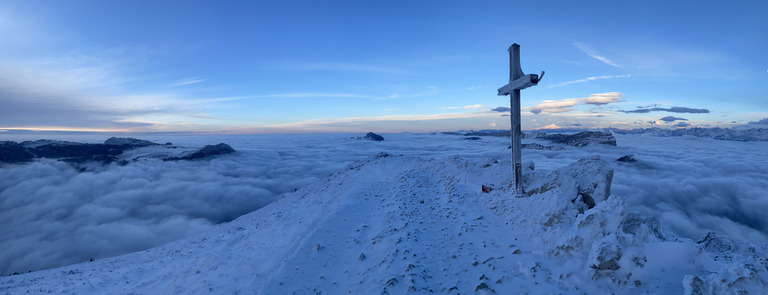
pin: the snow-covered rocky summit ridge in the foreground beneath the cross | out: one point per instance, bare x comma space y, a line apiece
399, 224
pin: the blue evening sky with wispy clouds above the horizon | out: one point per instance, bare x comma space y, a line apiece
382, 66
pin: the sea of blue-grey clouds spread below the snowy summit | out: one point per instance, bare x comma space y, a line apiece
53, 215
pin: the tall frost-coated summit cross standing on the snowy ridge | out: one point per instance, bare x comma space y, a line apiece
517, 81
